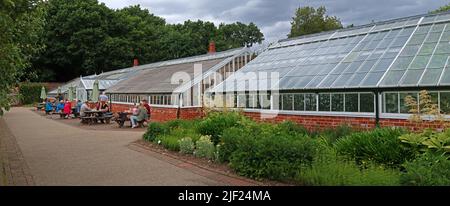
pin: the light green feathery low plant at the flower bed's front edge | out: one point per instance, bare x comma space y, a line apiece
330, 170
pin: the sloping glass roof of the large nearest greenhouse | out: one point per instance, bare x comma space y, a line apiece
412, 51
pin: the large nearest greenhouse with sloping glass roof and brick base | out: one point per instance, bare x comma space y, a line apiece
362, 72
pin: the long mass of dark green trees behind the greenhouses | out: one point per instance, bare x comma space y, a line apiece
84, 37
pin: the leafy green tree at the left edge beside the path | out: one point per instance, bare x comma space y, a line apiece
20, 25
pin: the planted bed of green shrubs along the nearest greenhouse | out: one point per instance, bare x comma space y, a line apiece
287, 152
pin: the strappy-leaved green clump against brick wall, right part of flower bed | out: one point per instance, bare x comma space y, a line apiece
380, 146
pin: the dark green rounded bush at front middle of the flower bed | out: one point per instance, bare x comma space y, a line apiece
275, 156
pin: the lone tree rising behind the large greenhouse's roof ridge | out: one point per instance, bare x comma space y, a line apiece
308, 20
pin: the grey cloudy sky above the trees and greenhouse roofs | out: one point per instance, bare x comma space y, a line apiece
273, 16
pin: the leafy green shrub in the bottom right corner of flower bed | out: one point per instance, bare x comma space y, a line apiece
429, 169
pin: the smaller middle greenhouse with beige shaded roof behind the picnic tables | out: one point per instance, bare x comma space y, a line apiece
178, 83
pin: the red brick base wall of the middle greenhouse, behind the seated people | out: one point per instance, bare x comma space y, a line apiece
163, 114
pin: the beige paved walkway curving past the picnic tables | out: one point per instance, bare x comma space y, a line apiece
59, 154
